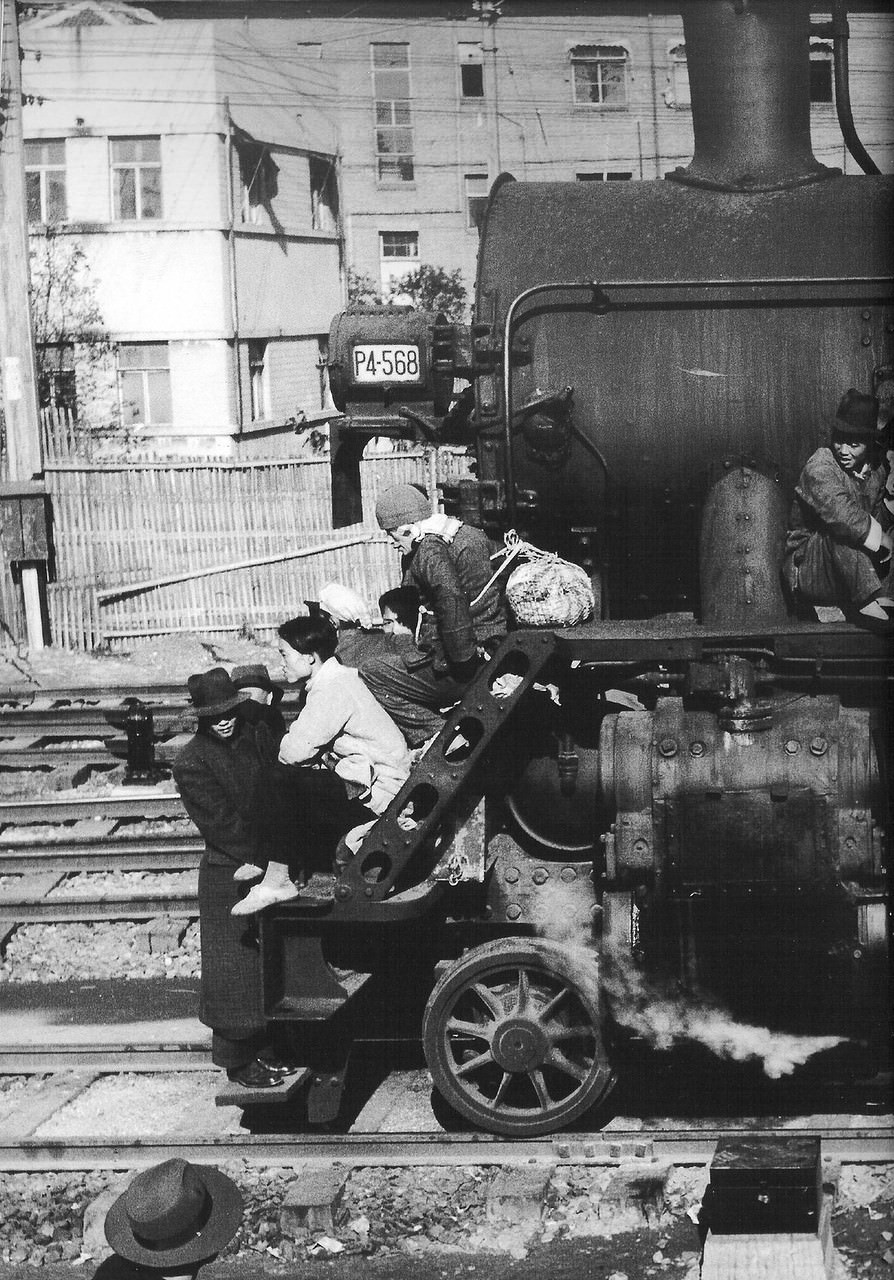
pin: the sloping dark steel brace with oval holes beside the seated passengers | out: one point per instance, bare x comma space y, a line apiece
367, 880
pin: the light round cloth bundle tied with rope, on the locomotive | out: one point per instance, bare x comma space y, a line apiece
548, 592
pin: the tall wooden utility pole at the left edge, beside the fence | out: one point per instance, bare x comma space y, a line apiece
22, 497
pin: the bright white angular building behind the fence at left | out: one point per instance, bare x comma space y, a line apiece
179, 217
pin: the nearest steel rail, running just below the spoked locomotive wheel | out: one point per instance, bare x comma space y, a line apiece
685, 1146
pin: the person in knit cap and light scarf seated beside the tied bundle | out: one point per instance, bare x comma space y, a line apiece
449, 563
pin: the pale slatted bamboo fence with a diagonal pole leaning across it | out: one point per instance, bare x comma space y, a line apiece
211, 546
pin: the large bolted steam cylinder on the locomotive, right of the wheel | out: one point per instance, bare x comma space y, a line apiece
701, 807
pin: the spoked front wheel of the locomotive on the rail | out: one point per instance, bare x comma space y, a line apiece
513, 1037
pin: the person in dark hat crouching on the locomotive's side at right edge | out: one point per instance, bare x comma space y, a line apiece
840, 545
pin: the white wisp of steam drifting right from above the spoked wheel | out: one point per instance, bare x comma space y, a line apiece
665, 1020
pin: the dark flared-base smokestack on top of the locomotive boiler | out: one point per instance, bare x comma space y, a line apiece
750, 83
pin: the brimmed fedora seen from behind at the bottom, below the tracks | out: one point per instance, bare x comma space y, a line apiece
175, 1214
